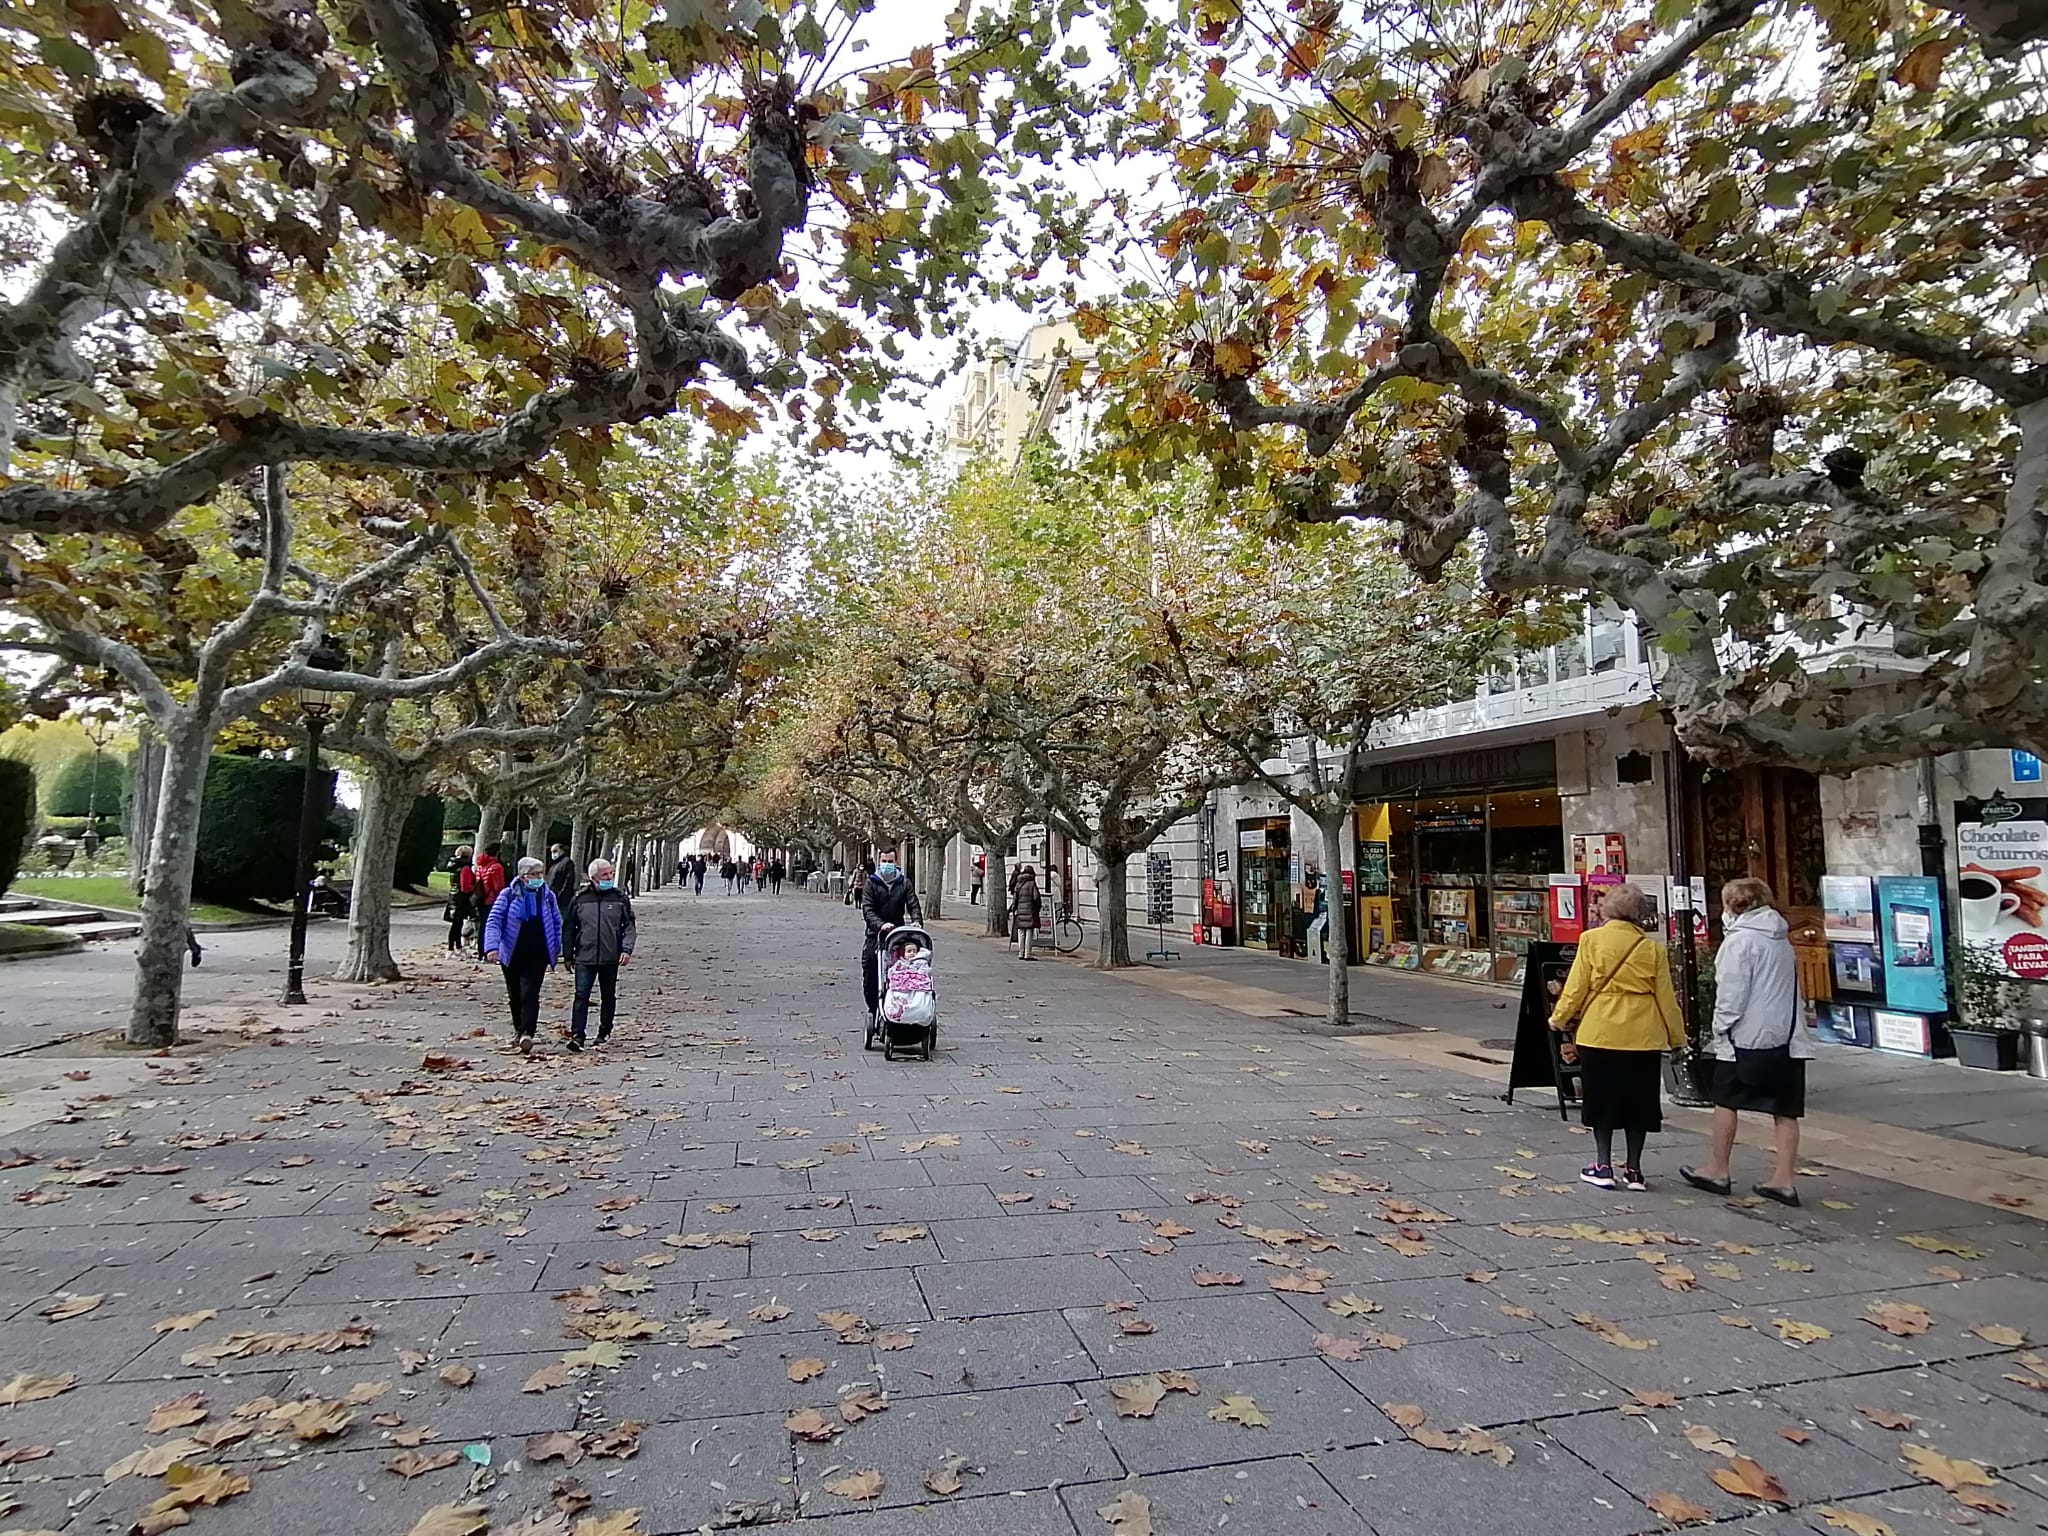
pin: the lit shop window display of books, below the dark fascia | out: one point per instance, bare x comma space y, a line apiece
1467, 880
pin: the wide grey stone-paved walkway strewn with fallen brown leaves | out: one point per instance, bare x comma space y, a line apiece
1111, 1242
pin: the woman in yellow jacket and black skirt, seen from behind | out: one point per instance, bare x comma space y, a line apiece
1621, 996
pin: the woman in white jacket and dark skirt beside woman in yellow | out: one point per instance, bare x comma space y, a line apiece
1760, 1039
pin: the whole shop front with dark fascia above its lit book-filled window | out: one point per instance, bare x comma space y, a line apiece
1457, 857
